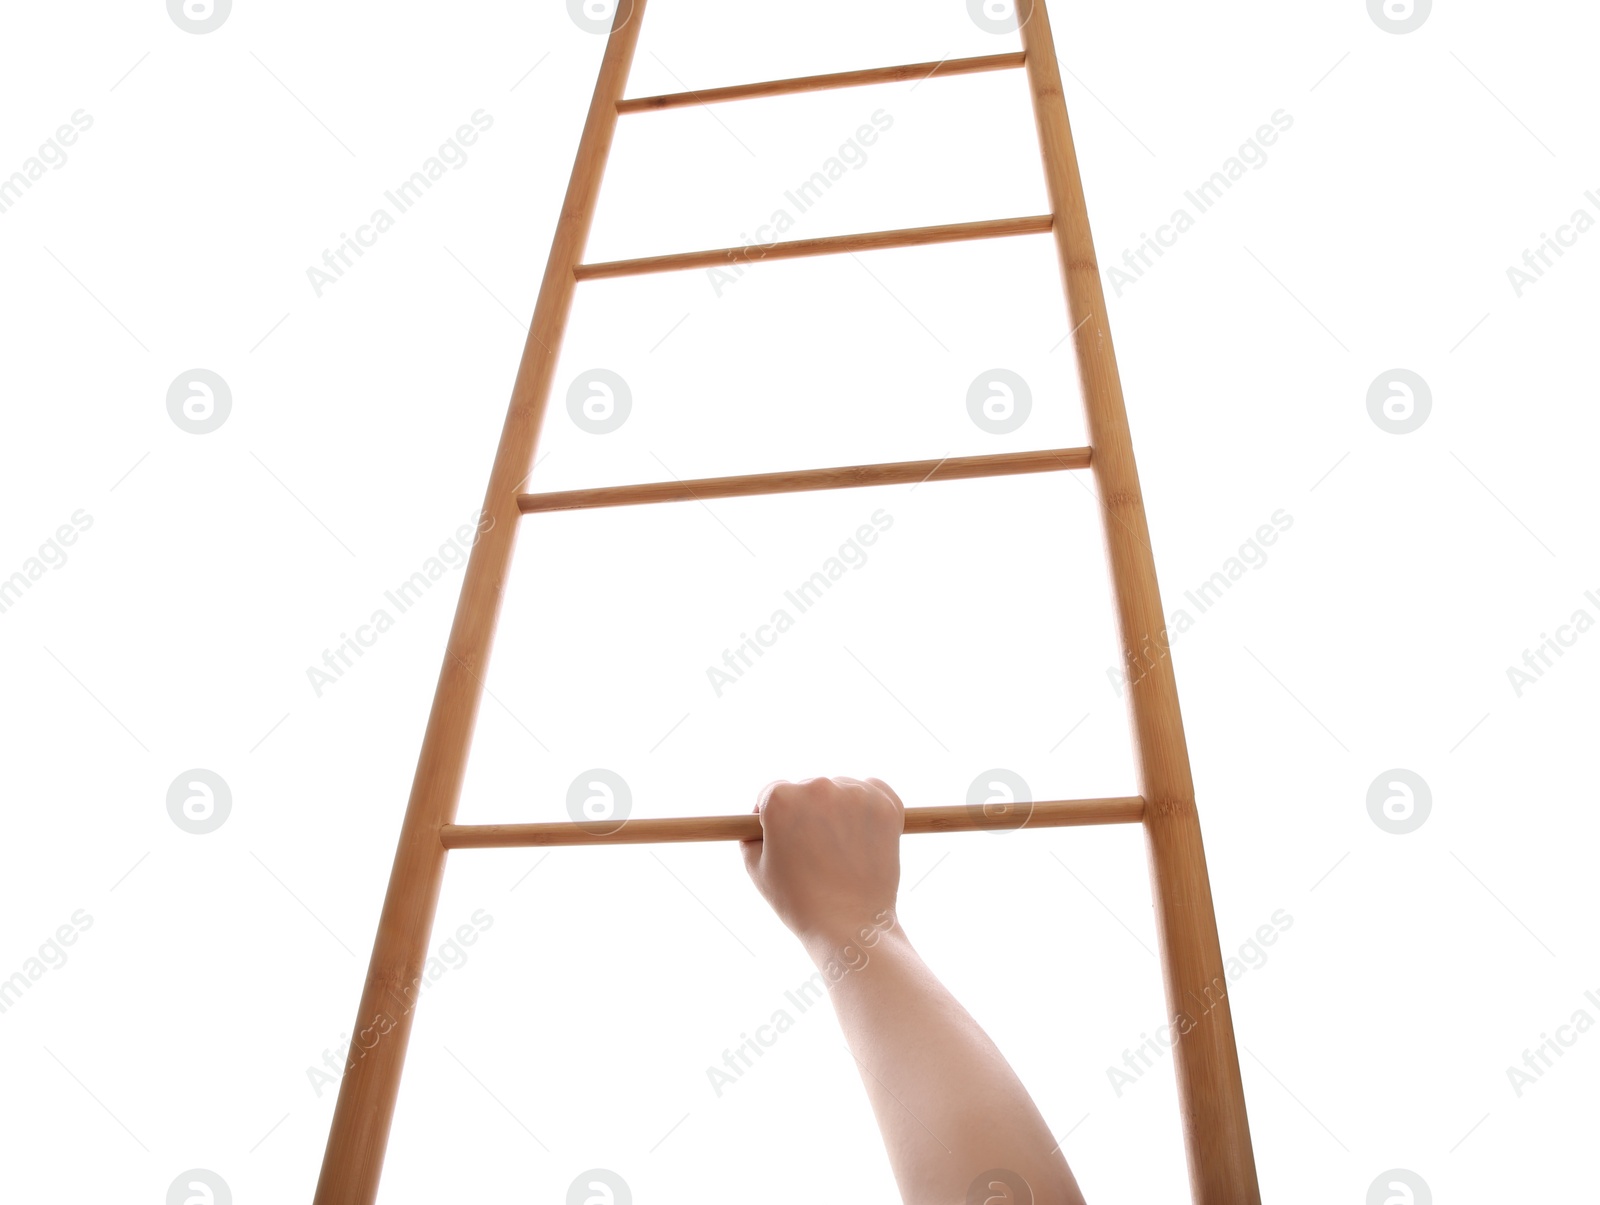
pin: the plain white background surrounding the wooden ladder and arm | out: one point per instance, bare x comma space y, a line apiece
178, 635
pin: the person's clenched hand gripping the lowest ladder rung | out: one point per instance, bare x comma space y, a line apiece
830, 857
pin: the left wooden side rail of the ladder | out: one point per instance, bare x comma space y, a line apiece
359, 1135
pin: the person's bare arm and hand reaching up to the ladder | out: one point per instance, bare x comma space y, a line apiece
948, 1103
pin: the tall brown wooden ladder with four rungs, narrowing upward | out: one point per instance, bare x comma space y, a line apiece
1217, 1132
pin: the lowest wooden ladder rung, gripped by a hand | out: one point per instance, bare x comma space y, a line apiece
748, 827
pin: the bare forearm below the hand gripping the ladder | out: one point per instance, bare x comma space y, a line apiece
946, 1100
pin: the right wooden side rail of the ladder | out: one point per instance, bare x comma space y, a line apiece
1217, 1131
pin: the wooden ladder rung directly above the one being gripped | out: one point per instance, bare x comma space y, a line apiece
799, 481
